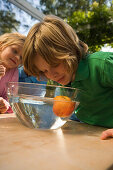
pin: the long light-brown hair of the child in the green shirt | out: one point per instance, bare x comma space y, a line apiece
55, 41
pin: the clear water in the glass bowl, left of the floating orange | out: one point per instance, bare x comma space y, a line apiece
35, 112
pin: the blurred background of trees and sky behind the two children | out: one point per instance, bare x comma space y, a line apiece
91, 19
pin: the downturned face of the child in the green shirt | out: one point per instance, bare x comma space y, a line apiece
58, 73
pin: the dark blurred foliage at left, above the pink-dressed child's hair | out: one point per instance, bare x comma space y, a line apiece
8, 23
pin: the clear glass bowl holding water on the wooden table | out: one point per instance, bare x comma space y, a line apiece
33, 103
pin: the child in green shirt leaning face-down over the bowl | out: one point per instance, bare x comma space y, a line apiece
52, 48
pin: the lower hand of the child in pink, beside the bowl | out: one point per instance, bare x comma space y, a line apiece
4, 105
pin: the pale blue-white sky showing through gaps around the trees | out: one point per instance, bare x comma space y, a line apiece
26, 19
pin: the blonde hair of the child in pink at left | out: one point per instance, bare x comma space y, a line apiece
9, 39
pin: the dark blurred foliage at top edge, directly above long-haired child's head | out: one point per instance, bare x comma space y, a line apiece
63, 8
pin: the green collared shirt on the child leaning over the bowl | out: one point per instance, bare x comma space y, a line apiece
94, 78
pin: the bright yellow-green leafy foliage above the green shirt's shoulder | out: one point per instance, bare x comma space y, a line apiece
94, 27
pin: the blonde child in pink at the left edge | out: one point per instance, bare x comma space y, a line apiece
11, 45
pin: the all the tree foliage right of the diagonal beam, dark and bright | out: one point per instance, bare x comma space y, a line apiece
92, 19
